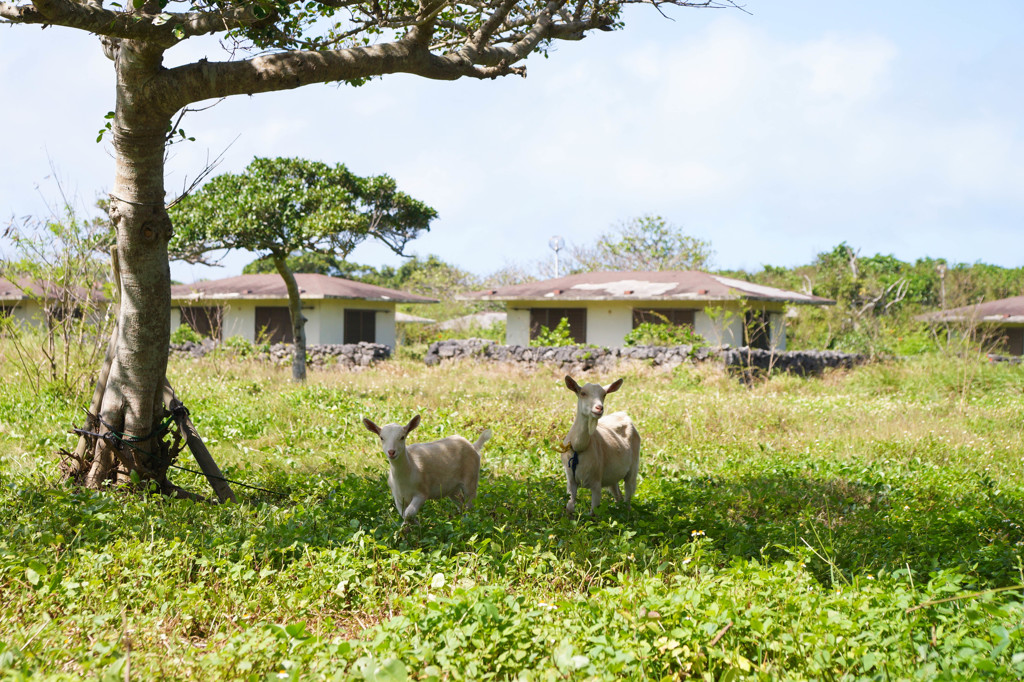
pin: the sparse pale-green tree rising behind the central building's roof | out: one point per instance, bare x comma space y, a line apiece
648, 243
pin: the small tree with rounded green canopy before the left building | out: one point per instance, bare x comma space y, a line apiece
280, 206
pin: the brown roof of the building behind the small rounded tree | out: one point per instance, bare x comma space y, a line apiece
273, 286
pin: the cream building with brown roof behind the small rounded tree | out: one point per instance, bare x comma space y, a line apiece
255, 308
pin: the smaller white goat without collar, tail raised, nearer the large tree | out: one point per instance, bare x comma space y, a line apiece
447, 468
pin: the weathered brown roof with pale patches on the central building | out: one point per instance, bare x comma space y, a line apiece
655, 286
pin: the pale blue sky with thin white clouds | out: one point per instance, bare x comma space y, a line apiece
775, 135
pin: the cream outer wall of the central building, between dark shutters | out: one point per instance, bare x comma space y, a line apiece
610, 322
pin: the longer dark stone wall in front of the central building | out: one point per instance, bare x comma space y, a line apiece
581, 359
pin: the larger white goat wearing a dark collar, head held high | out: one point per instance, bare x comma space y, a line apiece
602, 450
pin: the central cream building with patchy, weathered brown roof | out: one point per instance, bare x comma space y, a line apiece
604, 308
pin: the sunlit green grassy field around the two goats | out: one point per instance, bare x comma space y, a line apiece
862, 526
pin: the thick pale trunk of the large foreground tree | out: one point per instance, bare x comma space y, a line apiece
132, 406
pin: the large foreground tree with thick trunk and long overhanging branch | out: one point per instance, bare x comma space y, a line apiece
274, 46
